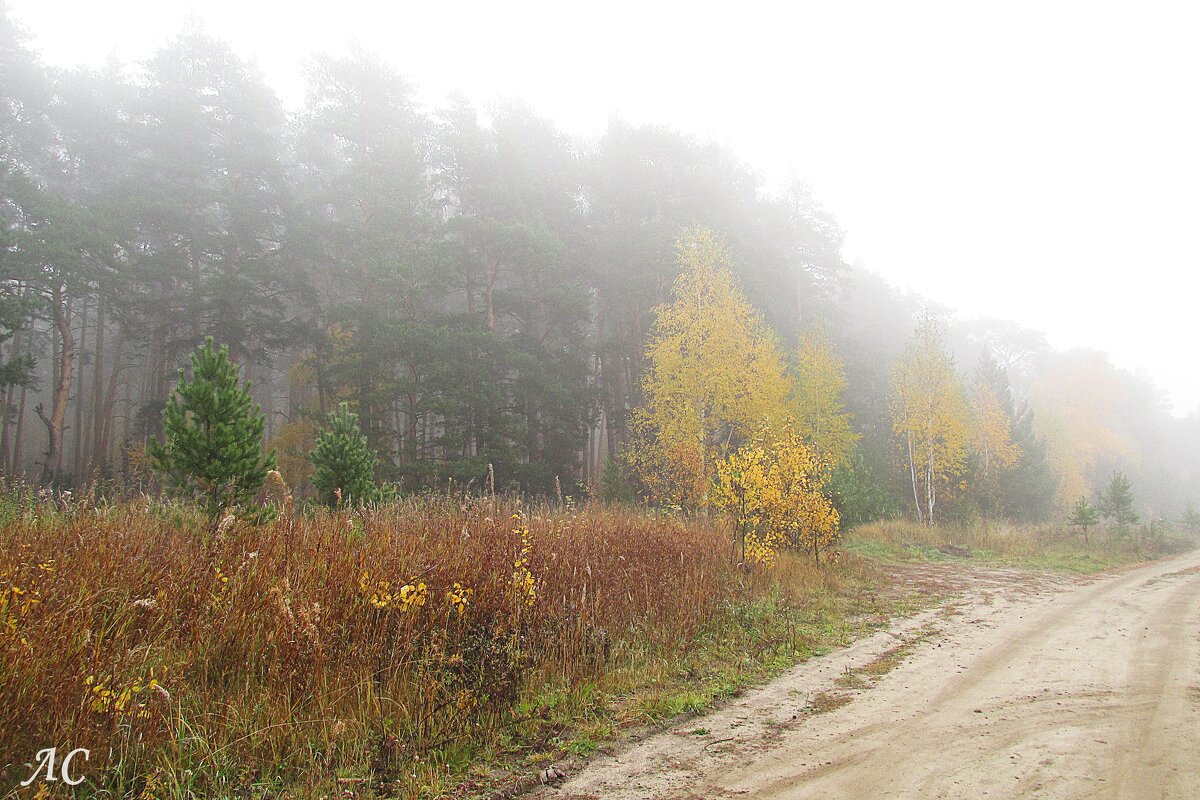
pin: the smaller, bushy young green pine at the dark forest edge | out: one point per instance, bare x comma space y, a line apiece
345, 464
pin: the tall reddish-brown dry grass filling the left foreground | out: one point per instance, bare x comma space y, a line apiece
323, 646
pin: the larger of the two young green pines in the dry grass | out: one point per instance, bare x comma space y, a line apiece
213, 437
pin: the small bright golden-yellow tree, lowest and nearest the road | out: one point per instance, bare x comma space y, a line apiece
773, 488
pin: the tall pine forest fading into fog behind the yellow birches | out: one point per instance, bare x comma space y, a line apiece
479, 287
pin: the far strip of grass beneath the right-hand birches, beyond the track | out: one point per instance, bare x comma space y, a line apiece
1016, 546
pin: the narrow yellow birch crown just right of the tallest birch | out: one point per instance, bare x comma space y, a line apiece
821, 417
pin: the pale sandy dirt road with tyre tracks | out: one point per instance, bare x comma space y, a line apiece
1027, 688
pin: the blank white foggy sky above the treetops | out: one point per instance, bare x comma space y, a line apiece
1030, 161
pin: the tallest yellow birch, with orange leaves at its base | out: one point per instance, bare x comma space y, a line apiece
715, 374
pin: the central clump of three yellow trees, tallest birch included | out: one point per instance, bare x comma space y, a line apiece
725, 425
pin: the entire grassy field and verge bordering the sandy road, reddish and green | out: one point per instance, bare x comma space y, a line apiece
419, 651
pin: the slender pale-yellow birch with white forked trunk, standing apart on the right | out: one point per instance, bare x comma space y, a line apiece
929, 417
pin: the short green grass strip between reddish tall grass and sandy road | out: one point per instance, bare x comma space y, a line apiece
807, 612
